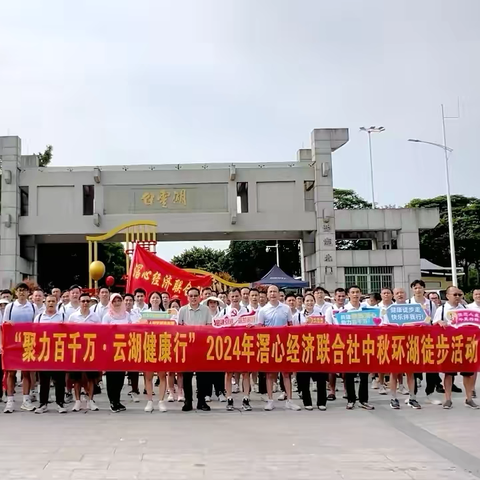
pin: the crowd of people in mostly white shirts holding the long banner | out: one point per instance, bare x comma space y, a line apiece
272, 307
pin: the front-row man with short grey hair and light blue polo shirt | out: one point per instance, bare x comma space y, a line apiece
276, 314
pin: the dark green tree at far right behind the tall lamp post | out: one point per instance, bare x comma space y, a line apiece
434, 243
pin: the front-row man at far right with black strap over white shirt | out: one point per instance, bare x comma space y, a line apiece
442, 317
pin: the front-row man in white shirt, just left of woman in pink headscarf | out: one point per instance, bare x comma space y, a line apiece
84, 315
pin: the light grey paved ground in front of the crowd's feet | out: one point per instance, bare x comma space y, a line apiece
337, 444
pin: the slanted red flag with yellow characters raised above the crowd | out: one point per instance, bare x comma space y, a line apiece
151, 273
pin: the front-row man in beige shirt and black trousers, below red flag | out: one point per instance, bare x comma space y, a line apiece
195, 314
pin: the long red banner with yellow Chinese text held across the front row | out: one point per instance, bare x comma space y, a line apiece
327, 348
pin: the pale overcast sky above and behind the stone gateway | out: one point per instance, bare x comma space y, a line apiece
183, 81
